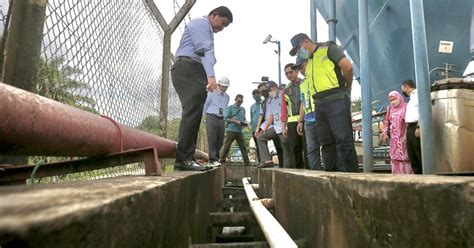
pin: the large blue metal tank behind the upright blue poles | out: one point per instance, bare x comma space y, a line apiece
390, 38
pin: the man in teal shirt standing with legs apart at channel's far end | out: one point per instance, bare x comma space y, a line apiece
235, 118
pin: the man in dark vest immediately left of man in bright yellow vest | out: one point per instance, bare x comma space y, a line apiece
296, 143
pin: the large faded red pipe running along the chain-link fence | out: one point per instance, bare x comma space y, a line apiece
34, 125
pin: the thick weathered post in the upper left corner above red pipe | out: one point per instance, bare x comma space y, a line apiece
23, 45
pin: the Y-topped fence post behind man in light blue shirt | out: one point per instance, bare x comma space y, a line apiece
168, 30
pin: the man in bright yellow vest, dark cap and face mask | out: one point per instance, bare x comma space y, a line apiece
329, 73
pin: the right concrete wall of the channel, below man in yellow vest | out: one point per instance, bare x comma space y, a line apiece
372, 210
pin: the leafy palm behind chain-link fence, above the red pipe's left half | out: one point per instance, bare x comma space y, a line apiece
58, 81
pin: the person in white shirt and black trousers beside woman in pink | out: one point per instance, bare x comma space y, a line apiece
413, 130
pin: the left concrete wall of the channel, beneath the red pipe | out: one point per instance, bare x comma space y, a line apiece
167, 211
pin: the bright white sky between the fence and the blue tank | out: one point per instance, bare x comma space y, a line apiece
240, 52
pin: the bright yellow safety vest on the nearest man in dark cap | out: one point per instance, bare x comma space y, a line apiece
320, 71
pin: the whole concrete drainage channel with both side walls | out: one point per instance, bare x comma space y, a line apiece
183, 209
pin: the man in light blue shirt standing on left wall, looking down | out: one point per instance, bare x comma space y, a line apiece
192, 71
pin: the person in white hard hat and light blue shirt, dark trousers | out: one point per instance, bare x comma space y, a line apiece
214, 108
